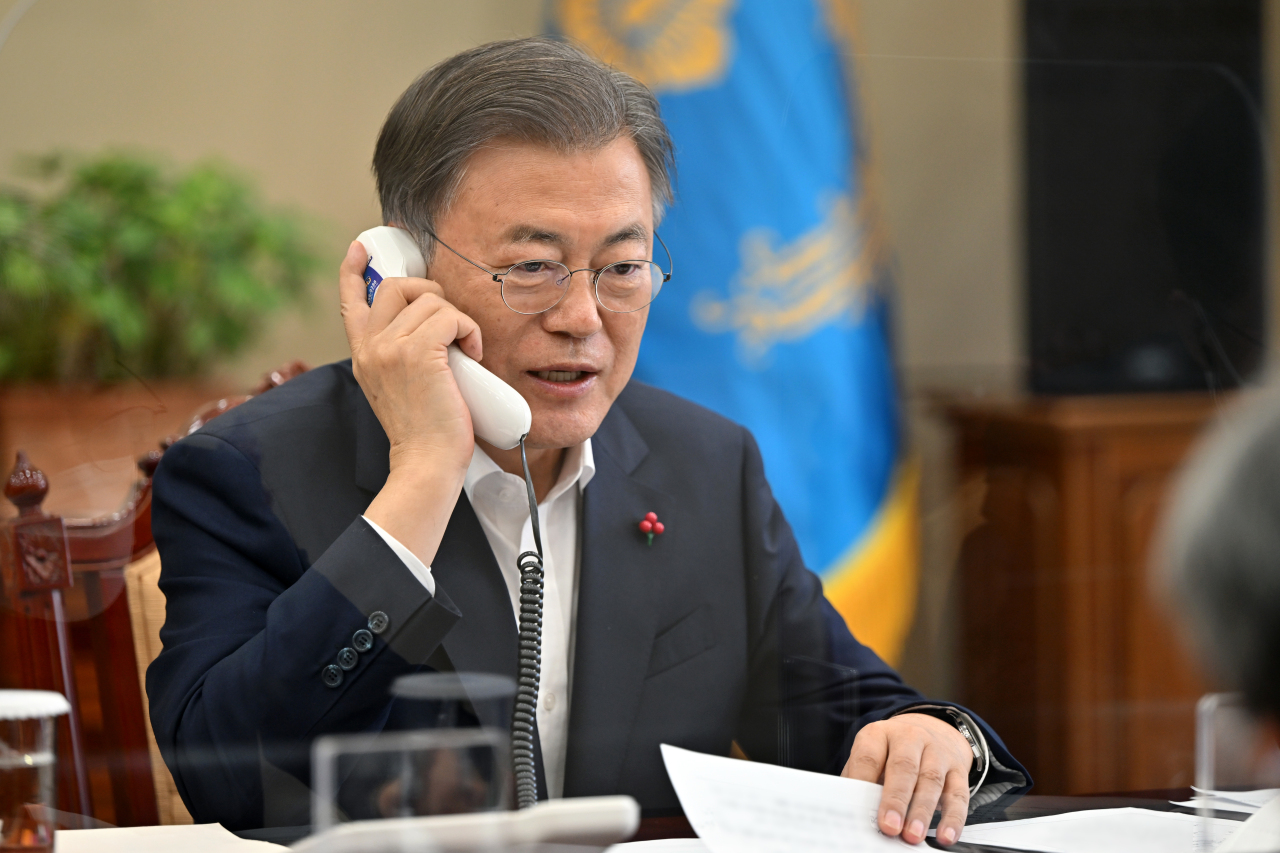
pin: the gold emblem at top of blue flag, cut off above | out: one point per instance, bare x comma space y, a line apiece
670, 45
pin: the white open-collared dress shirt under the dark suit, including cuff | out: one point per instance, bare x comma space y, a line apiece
502, 505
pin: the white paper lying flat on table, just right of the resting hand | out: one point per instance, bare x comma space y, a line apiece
1128, 831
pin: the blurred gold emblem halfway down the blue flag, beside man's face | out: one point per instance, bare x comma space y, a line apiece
785, 293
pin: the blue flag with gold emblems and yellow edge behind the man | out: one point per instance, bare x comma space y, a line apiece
778, 314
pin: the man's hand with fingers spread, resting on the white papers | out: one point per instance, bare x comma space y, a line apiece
924, 764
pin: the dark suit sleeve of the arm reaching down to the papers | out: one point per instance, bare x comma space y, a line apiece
813, 687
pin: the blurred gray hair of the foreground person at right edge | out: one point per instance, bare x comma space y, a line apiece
1219, 551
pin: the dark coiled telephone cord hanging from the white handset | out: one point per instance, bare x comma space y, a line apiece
525, 714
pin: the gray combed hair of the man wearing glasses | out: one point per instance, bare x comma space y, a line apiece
533, 90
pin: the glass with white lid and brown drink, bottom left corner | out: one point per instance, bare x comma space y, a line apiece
28, 784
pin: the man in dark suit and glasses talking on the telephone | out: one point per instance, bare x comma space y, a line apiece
349, 528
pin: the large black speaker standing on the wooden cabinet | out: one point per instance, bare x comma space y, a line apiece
1145, 194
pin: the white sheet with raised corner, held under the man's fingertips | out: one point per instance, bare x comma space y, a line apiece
751, 808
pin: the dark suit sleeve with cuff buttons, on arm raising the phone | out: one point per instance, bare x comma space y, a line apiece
259, 641
